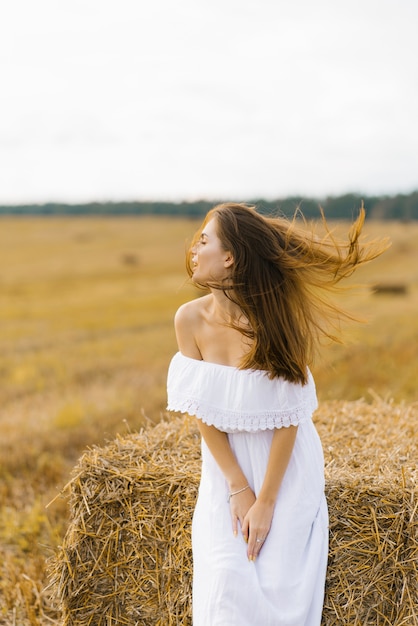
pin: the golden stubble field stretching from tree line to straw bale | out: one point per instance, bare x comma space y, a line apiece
86, 335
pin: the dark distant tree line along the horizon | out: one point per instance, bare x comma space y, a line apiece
398, 207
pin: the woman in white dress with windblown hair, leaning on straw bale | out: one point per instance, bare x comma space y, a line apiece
259, 534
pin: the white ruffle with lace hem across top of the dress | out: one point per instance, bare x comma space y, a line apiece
233, 400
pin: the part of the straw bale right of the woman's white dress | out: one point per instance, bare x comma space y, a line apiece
371, 453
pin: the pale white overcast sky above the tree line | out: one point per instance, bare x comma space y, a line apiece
221, 99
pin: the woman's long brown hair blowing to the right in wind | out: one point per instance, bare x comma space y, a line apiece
281, 280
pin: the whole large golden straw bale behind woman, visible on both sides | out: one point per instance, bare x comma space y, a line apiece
126, 557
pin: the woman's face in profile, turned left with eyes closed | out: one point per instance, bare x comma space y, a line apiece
210, 262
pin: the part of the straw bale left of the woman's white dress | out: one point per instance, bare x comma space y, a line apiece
126, 557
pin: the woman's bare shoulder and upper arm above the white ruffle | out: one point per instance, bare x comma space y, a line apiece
187, 322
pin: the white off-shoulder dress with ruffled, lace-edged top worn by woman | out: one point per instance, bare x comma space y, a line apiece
285, 585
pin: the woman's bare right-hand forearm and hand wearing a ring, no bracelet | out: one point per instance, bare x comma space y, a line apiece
257, 521
